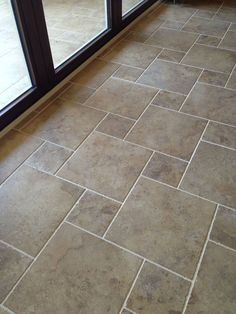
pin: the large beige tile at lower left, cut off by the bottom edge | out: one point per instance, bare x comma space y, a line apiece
76, 271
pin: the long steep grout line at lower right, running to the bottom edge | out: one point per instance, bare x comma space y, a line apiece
199, 262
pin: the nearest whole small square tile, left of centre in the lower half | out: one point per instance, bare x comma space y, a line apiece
94, 212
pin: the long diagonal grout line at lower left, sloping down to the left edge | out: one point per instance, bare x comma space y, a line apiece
42, 249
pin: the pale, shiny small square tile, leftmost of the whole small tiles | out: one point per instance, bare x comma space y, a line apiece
49, 157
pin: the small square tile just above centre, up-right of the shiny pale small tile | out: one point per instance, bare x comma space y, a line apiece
115, 126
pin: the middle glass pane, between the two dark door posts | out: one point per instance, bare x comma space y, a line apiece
72, 24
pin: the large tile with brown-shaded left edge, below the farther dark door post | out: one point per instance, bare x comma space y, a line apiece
133, 54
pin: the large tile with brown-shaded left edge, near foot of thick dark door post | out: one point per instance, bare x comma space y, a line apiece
65, 123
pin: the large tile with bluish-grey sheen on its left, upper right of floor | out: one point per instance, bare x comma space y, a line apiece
163, 75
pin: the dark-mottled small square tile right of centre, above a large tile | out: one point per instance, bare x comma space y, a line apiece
165, 169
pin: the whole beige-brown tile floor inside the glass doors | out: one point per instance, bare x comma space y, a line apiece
119, 195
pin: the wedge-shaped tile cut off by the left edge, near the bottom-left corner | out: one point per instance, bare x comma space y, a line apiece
12, 266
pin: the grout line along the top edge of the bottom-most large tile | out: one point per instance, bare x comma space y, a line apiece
129, 251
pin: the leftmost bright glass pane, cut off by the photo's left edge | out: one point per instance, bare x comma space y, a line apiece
14, 78
